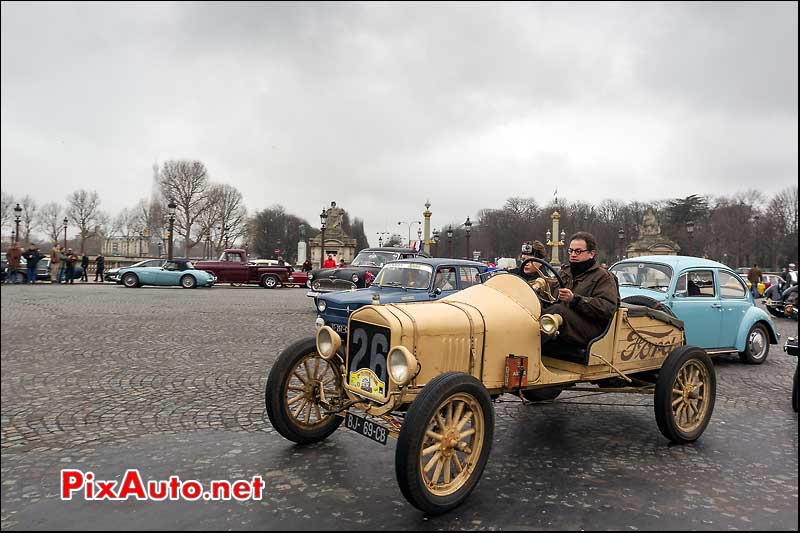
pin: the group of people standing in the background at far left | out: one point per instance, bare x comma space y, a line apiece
63, 264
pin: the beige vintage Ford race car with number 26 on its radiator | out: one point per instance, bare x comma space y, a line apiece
426, 374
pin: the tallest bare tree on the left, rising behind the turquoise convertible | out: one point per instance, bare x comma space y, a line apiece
187, 183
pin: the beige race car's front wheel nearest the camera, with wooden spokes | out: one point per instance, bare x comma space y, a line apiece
417, 451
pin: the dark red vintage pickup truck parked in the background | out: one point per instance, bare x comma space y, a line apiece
233, 267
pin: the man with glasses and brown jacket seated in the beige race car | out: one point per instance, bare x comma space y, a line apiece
590, 297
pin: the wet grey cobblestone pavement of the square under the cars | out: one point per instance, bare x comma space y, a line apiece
171, 382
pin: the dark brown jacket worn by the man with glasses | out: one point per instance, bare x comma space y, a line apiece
587, 315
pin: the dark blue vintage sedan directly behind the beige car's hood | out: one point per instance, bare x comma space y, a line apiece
406, 280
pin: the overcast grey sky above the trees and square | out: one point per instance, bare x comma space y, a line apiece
382, 106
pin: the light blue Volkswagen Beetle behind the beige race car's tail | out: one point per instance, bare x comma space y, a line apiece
712, 300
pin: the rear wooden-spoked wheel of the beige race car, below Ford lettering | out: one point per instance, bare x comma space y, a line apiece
686, 388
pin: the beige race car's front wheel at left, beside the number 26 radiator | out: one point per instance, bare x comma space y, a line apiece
285, 413
